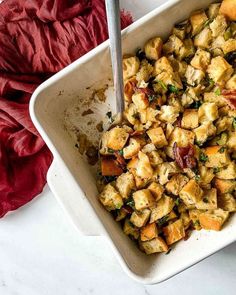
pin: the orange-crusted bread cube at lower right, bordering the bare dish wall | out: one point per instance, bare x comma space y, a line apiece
213, 220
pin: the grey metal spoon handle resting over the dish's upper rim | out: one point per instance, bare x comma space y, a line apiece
114, 30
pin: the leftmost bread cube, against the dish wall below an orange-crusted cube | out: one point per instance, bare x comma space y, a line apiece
110, 198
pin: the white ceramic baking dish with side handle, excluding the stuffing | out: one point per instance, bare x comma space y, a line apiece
71, 178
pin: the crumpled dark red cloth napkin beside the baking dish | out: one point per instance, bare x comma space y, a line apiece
37, 39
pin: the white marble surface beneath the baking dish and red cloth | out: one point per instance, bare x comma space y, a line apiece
42, 254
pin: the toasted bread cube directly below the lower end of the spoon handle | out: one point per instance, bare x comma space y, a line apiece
117, 138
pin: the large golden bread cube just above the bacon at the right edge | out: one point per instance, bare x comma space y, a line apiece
219, 70
